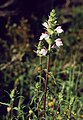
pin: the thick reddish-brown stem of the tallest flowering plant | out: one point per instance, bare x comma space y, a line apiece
46, 83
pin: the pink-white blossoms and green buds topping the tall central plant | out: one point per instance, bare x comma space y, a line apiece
50, 35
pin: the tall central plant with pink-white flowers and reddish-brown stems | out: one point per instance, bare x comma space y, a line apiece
48, 41
